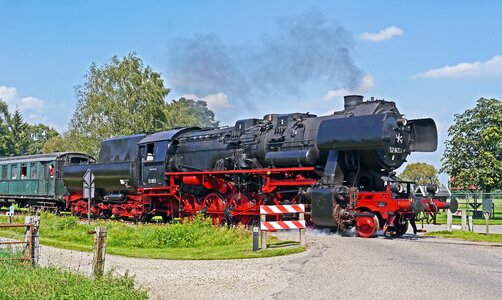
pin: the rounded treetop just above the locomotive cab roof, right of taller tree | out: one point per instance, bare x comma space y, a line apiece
188, 112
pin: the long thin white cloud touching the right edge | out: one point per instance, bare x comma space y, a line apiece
478, 68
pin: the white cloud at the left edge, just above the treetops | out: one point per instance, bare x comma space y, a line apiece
32, 108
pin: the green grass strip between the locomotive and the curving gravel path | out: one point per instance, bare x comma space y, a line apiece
195, 240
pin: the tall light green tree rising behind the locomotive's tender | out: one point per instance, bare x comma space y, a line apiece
122, 97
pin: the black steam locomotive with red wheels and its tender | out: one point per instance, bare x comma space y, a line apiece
340, 166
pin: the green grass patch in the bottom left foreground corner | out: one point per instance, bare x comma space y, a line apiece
21, 281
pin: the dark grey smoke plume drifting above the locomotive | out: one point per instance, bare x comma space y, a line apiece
305, 52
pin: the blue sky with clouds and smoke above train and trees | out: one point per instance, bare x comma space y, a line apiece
434, 58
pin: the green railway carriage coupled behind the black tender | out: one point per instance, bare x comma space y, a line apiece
36, 181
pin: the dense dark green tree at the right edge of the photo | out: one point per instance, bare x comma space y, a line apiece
473, 154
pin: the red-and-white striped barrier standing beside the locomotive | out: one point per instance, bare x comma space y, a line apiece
276, 210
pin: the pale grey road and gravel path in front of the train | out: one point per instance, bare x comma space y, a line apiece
334, 267
